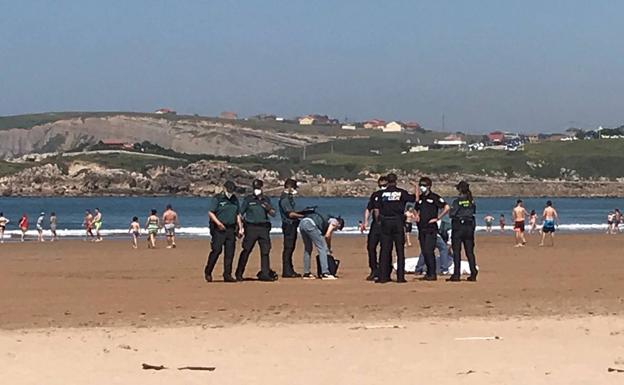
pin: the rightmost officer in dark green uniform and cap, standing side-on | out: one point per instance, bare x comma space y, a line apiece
463, 223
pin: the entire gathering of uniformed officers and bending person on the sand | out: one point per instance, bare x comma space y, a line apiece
387, 207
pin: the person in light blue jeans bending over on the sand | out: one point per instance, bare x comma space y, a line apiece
317, 230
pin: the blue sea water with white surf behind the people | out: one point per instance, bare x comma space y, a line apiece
576, 214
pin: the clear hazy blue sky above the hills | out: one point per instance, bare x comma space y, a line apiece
527, 66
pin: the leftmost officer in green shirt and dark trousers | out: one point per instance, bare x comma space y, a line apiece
225, 226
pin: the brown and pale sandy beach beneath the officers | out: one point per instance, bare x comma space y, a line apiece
76, 312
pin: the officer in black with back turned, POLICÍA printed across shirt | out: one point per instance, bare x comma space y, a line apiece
390, 210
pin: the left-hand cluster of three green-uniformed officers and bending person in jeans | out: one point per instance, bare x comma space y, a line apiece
251, 221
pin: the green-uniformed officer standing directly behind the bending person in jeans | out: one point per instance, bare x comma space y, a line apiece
290, 223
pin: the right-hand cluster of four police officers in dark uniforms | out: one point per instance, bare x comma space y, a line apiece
388, 207
